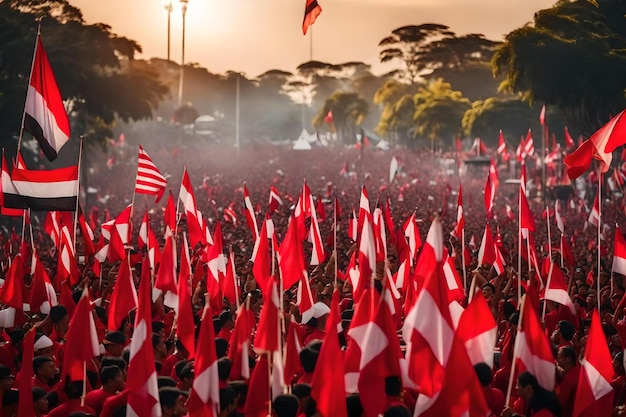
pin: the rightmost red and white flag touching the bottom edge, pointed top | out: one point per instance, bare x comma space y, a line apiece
594, 393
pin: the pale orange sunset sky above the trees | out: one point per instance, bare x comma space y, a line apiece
253, 36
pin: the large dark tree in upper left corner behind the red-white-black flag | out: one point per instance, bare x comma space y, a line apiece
95, 69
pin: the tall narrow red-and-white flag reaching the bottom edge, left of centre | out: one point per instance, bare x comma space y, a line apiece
141, 382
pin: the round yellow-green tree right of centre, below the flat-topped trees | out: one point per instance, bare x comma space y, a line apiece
439, 111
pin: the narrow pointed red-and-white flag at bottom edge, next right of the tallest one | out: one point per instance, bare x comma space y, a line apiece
204, 399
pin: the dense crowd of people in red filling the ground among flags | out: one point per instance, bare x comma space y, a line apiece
422, 185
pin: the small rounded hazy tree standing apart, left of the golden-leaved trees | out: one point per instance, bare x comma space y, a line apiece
348, 110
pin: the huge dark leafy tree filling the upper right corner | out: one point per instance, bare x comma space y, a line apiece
573, 57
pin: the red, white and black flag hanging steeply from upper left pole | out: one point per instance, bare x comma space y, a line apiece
44, 114
